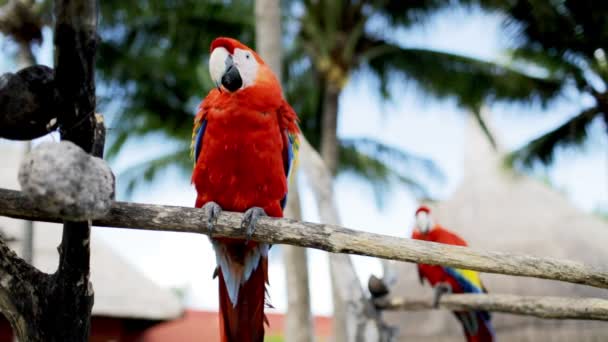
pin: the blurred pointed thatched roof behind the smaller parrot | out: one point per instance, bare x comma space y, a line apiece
494, 209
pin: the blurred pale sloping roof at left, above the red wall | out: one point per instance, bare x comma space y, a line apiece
120, 289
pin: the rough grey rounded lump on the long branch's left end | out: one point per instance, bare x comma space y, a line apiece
64, 180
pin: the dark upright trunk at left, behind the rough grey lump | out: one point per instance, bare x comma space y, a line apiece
75, 51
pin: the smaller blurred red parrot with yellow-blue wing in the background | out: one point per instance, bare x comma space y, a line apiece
477, 325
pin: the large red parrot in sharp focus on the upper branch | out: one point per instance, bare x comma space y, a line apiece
244, 145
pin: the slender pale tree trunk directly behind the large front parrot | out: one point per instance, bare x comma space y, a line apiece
299, 323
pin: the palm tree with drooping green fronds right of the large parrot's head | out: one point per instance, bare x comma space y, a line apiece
340, 38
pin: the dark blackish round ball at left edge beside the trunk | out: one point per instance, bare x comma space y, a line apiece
28, 103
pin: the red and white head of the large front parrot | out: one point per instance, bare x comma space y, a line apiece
234, 66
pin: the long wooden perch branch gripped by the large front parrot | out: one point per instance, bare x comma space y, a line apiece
330, 238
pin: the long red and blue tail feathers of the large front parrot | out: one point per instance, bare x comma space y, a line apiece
242, 288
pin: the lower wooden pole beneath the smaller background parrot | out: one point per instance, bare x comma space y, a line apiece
538, 306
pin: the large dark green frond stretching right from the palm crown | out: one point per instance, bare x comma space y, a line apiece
445, 75
